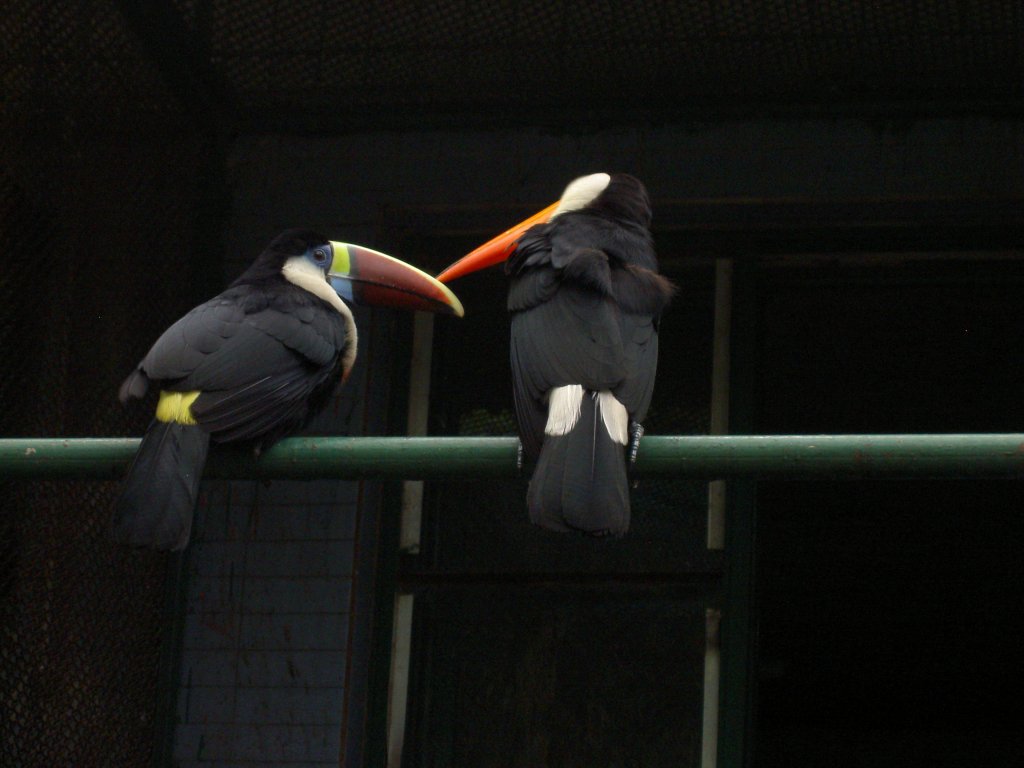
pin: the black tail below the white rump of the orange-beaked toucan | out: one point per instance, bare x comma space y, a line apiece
580, 482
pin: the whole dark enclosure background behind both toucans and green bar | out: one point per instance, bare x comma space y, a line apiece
148, 150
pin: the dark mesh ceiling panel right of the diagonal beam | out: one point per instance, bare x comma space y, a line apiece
529, 56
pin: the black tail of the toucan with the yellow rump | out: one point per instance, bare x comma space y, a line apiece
159, 496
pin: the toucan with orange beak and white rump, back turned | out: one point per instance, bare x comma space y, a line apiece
585, 298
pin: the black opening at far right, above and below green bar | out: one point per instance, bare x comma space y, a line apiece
890, 612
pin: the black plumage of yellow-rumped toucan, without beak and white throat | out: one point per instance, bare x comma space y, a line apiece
264, 357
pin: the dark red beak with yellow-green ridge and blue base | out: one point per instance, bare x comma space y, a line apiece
367, 277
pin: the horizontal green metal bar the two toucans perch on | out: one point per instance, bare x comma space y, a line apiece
999, 455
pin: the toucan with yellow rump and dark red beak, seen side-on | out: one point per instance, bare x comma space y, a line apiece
252, 365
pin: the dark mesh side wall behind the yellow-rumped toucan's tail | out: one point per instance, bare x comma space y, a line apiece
97, 227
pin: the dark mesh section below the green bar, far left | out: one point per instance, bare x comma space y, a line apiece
79, 632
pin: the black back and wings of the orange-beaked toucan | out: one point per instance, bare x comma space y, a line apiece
581, 316
